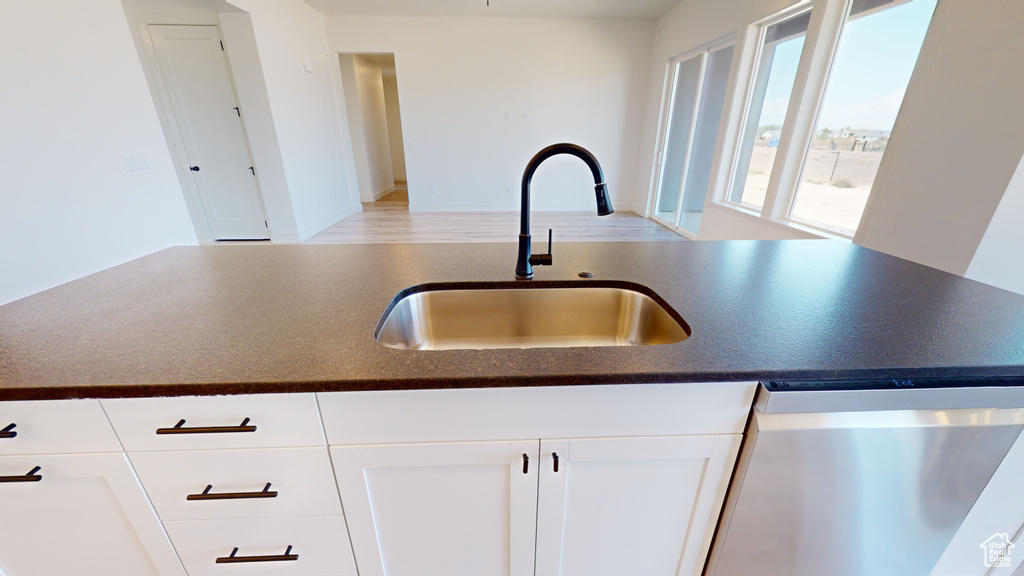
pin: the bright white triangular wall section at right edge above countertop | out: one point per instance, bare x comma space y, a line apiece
1000, 260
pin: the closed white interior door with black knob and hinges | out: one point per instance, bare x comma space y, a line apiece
202, 96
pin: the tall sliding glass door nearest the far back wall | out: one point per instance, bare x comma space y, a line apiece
697, 99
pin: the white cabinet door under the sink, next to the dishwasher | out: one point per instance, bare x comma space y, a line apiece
630, 506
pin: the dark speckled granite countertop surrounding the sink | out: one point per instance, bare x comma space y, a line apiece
239, 319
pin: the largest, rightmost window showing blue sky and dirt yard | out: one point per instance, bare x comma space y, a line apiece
880, 45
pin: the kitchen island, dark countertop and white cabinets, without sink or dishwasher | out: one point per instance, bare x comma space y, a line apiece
216, 405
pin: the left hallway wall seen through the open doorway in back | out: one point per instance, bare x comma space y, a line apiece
370, 86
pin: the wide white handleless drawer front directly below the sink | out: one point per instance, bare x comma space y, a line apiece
483, 415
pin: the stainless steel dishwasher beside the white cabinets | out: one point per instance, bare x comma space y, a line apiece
867, 478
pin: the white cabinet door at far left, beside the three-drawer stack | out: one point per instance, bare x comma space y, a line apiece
86, 516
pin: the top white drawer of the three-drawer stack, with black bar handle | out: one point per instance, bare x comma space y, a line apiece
146, 425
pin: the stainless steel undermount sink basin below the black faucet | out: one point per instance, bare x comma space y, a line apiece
477, 316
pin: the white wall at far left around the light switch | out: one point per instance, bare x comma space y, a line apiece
74, 100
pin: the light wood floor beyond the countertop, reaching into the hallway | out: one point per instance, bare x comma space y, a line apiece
390, 222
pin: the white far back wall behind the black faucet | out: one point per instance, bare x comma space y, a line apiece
582, 81
